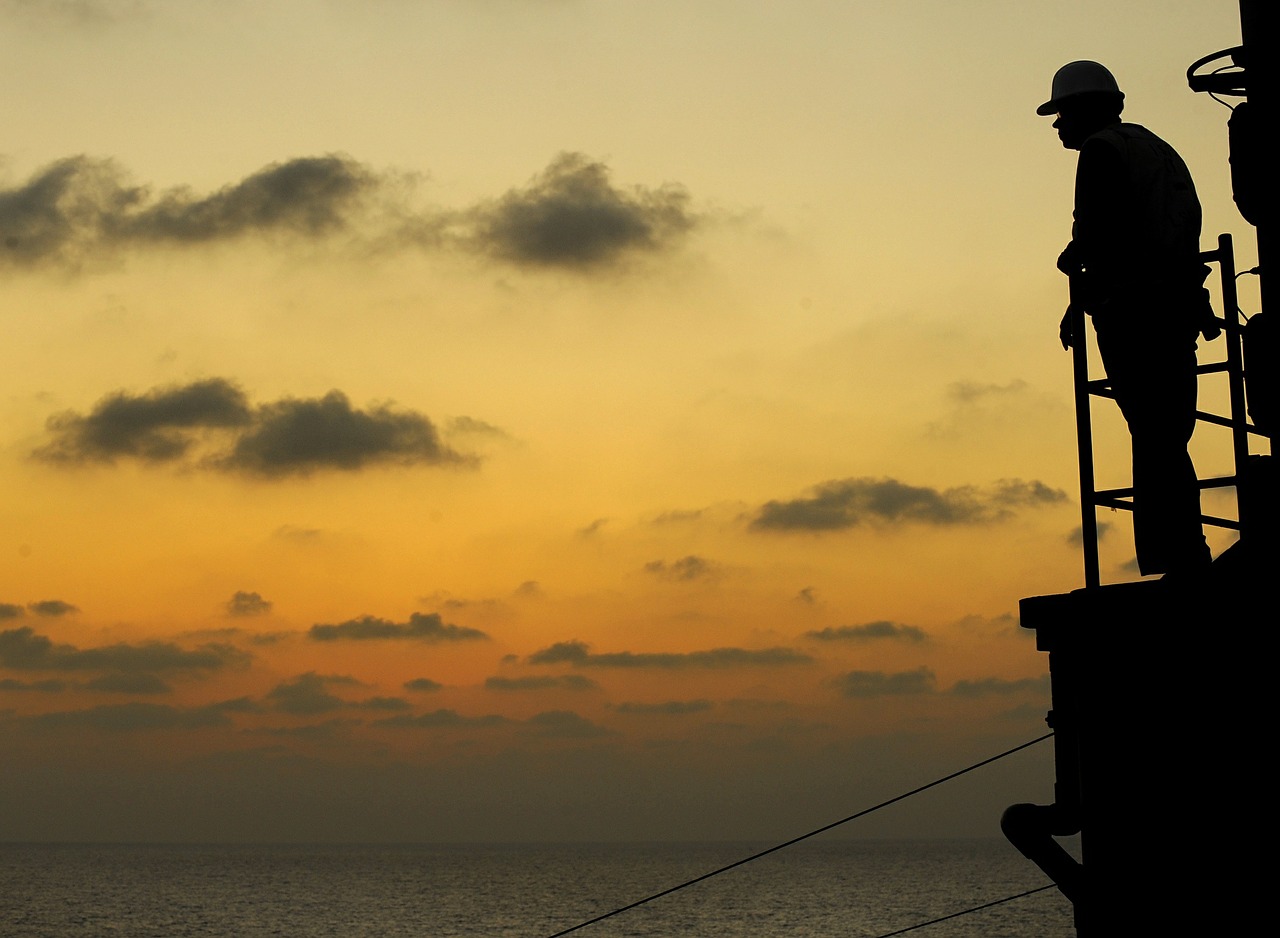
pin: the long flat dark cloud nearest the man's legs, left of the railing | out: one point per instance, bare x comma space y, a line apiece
847, 504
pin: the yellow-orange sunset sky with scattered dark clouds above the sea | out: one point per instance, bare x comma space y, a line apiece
542, 420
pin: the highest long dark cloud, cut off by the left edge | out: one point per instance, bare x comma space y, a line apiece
79, 209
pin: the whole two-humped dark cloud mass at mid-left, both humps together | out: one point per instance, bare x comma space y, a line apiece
292, 437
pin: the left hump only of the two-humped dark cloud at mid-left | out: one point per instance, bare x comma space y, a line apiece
159, 425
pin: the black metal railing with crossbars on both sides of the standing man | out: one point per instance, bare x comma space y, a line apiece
1087, 388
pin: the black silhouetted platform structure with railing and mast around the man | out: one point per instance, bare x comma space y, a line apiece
1151, 701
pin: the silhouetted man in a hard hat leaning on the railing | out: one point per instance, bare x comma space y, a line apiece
1135, 268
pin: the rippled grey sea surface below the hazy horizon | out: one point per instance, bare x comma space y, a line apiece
812, 890
